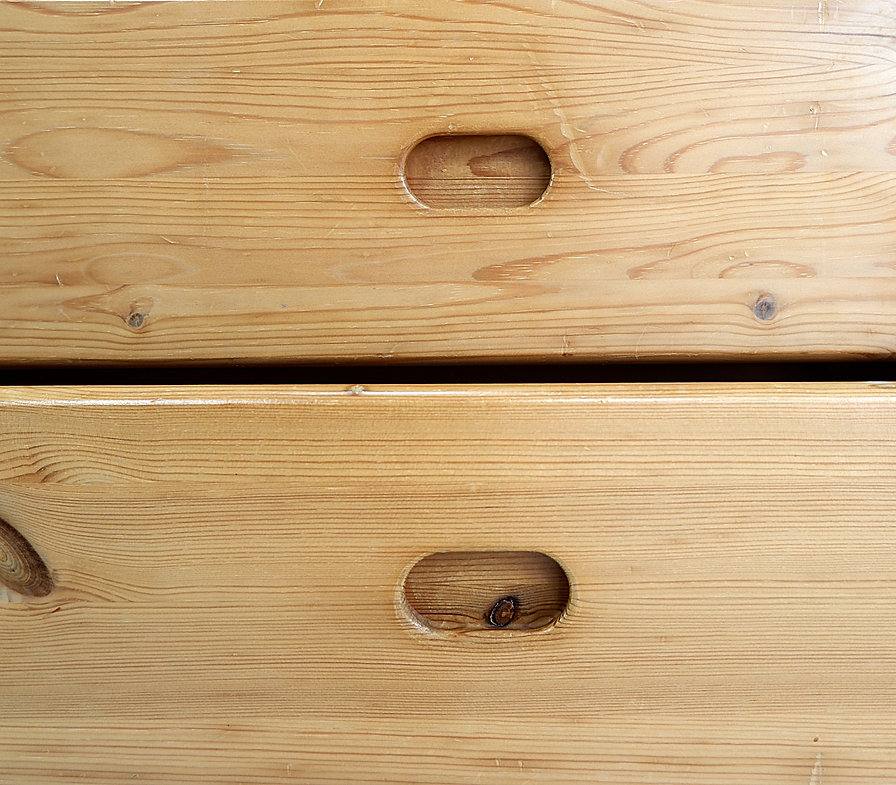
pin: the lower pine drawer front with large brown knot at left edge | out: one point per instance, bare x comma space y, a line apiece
227, 564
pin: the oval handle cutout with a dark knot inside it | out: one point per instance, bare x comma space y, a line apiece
464, 591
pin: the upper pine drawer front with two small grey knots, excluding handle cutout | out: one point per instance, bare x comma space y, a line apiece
210, 181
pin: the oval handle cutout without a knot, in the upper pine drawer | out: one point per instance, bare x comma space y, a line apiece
462, 172
